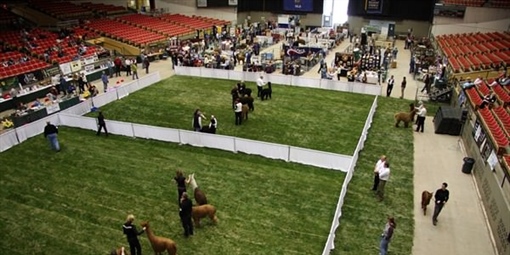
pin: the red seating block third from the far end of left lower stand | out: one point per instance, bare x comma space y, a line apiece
124, 32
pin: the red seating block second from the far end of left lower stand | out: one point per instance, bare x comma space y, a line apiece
156, 25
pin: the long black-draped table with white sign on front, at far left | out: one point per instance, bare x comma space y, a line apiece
33, 115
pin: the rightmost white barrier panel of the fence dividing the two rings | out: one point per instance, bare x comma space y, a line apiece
320, 159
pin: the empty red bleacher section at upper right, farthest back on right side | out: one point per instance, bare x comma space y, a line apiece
475, 51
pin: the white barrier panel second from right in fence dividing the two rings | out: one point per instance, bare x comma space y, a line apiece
268, 150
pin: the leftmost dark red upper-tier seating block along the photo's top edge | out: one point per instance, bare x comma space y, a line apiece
60, 10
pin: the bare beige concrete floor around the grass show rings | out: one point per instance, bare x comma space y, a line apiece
462, 227
